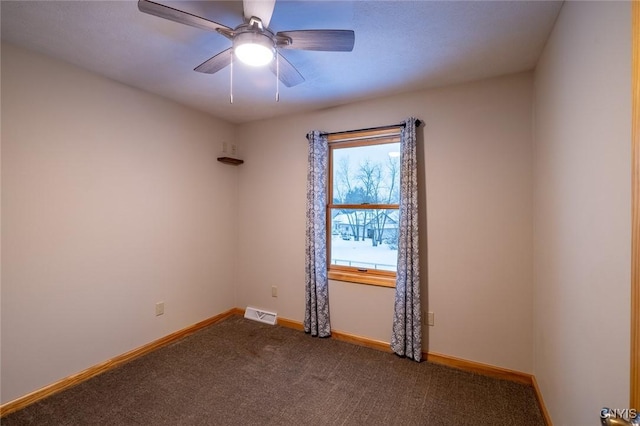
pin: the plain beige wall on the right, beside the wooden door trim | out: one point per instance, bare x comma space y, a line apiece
582, 212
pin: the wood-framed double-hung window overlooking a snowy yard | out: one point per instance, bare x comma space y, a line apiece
362, 209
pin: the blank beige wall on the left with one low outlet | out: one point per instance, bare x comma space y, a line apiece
112, 200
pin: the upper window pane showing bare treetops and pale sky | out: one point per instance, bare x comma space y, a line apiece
366, 174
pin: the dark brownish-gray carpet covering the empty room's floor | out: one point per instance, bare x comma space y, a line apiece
240, 372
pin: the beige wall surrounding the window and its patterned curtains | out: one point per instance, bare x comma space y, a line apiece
477, 152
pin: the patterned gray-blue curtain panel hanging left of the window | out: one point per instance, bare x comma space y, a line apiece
316, 317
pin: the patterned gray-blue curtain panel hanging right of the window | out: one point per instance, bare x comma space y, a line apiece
406, 339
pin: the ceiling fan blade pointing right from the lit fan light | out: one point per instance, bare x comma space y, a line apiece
325, 40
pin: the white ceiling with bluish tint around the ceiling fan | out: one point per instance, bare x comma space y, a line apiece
400, 46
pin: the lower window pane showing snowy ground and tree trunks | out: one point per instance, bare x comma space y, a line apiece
365, 238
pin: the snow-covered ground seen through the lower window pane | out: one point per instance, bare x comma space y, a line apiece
362, 254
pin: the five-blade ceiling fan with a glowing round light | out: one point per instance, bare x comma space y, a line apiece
253, 42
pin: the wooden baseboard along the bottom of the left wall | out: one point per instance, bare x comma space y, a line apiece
95, 370
